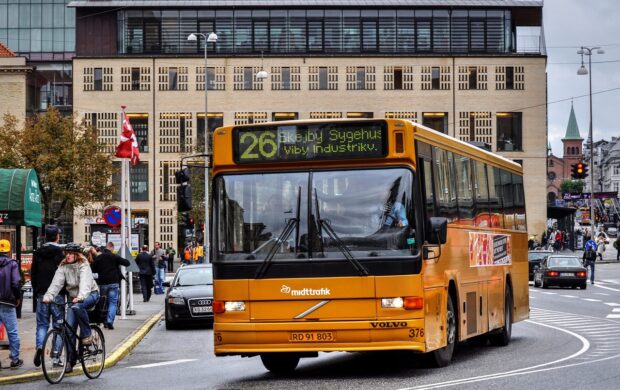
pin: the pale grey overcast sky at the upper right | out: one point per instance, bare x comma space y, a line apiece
569, 24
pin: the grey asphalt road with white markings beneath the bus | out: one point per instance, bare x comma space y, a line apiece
572, 341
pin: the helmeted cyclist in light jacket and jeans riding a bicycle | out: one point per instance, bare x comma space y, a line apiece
75, 276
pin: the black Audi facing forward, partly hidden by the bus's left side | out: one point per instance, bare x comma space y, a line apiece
189, 297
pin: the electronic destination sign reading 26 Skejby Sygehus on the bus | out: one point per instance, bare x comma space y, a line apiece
319, 141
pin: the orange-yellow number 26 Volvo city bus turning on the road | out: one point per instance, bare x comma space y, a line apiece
362, 235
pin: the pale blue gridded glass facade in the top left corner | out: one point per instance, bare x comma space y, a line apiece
38, 29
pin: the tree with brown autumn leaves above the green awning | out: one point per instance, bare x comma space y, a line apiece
72, 167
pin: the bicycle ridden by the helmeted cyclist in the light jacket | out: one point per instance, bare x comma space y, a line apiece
55, 350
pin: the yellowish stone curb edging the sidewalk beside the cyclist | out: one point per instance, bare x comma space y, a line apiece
111, 360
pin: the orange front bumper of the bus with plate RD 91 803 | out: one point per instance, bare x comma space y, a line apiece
304, 337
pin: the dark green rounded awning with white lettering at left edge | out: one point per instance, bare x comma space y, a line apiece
20, 198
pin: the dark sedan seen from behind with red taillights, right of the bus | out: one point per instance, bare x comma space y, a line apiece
560, 271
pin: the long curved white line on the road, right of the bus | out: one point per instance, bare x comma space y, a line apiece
520, 371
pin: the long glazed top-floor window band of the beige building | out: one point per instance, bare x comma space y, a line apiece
317, 31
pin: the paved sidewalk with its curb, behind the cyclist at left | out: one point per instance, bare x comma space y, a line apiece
119, 341
